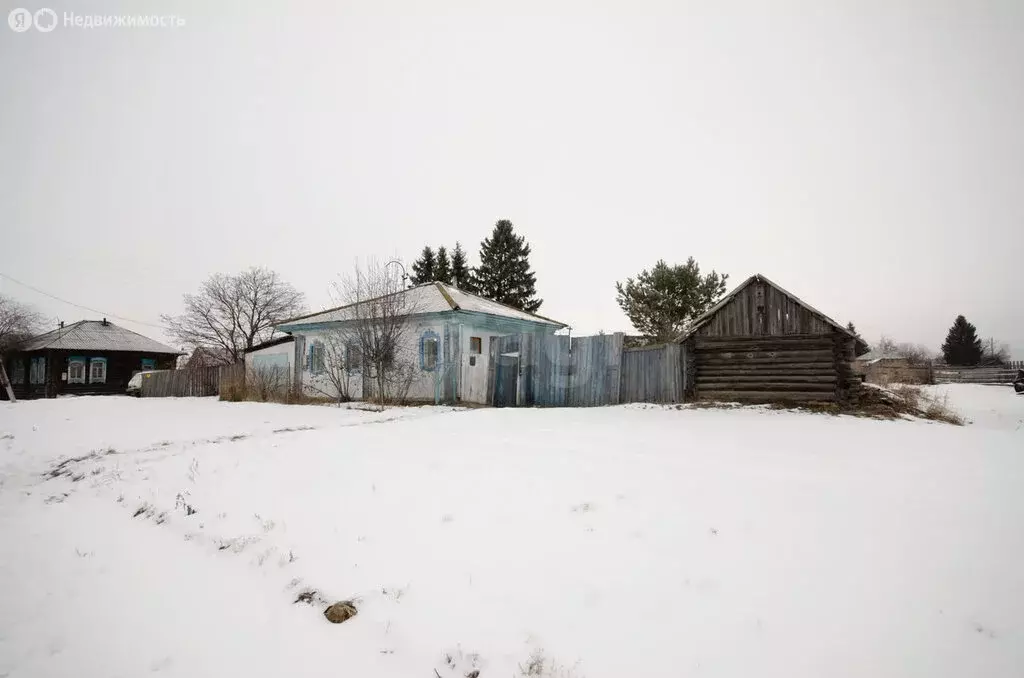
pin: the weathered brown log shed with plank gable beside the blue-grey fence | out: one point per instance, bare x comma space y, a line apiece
761, 344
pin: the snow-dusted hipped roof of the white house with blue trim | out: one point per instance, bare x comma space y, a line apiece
429, 299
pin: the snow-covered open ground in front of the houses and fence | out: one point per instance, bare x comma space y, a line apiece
632, 541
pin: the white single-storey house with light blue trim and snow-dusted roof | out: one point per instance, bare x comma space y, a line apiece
449, 332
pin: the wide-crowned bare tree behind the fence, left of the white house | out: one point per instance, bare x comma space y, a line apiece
235, 313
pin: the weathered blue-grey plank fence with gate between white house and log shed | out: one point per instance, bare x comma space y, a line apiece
531, 370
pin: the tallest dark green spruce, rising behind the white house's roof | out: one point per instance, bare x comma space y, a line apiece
504, 273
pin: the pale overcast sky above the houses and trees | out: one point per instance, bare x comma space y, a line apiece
867, 156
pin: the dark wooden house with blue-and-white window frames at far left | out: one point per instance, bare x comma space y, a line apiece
86, 358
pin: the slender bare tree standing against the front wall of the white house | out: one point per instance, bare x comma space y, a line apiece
375, 324
